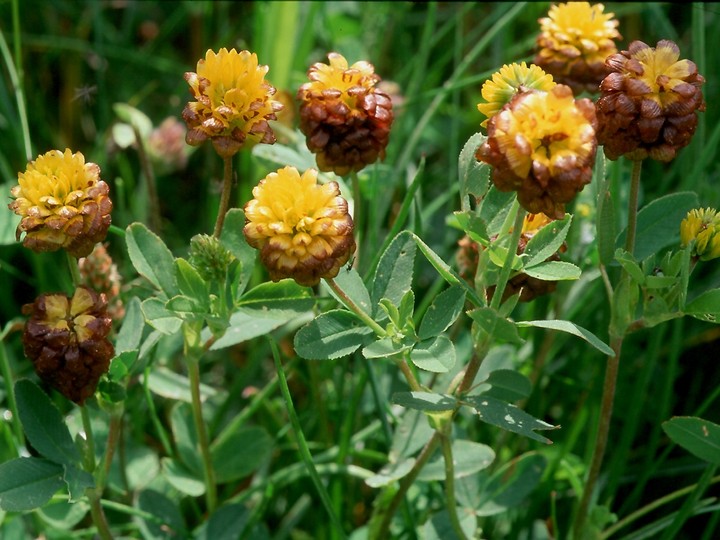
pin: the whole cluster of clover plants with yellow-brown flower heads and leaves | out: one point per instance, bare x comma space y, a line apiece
431, 356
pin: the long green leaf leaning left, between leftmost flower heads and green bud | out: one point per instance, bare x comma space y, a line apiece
151, 257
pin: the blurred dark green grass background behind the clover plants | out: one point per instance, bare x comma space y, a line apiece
79, 58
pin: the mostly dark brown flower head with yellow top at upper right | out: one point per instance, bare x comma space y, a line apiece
649, 102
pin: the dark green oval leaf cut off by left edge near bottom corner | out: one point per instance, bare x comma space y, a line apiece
28, 483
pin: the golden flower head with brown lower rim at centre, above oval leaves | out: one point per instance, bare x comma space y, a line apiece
302, 228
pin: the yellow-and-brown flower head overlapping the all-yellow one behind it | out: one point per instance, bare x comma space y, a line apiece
542, 145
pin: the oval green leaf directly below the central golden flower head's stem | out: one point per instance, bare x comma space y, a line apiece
333, 334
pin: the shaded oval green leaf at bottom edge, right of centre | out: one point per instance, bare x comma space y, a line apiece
510, 485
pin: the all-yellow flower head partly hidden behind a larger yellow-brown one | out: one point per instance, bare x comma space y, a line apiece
510, 80
